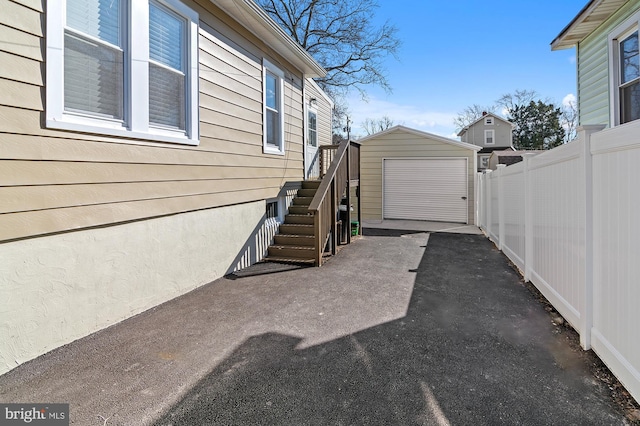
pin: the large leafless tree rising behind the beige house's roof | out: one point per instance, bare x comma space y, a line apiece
341, 36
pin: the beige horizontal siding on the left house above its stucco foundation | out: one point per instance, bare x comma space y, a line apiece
53, 181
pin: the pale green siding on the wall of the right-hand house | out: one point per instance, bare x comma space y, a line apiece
593, 70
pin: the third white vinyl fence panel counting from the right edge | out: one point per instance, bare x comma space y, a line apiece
513, 196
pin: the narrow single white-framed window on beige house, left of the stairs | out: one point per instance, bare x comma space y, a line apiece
273, 109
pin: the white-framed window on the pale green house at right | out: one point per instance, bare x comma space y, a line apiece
625, 72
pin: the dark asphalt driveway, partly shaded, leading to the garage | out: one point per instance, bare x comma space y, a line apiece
400, 328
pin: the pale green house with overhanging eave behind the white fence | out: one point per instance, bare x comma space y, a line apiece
605, 34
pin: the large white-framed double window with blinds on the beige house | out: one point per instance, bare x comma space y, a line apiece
119, 69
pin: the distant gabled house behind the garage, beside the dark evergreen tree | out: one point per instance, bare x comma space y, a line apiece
490, 132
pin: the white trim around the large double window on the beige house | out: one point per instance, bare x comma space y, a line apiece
136, 123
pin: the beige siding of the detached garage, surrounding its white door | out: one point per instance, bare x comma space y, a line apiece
400, 144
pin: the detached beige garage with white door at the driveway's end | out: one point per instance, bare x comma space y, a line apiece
409, 174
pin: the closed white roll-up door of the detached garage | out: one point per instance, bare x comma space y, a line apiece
425, 189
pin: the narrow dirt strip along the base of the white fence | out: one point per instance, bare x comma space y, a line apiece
619, 395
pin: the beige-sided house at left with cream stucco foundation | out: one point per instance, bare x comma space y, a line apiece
145, 152
